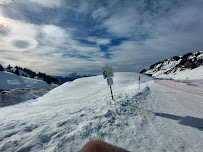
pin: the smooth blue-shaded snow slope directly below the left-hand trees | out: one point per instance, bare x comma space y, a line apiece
9, 81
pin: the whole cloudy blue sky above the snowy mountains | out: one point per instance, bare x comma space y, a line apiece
64, 36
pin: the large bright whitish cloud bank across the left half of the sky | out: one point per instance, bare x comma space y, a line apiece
45, 46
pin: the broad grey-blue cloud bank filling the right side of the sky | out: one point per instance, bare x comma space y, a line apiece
163, 30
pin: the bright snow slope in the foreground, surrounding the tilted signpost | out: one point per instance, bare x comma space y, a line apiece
153, 118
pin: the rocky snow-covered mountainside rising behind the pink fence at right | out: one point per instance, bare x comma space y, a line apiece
188, 66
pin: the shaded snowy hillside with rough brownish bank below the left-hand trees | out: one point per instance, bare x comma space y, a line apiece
15, 88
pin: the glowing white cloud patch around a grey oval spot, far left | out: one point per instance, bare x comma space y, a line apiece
21, 35
